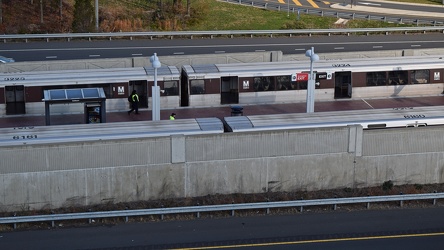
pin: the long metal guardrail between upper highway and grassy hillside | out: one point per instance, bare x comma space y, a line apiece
231, 33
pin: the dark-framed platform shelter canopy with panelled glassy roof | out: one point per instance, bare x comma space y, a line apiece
82, 95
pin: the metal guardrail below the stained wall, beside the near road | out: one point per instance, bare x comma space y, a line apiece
218, 208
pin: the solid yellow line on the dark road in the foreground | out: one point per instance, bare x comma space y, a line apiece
317, 241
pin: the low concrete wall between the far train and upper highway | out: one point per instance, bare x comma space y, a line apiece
179, 60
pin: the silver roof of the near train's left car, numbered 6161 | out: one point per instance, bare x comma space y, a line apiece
107, 131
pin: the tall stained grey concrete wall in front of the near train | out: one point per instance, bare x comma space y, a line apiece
77, 174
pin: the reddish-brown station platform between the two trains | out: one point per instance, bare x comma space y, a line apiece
224, 111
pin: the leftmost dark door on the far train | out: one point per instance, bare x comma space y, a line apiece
15, 99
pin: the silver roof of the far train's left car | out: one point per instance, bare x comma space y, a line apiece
89, 76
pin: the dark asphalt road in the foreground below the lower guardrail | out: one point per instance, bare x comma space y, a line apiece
407, 228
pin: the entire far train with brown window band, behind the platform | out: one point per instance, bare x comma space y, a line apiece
227, 84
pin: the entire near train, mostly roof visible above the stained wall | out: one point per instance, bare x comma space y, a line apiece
368, 119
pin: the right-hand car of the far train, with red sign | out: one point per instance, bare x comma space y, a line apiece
252, 83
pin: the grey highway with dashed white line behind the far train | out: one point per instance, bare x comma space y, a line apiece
42, 51
